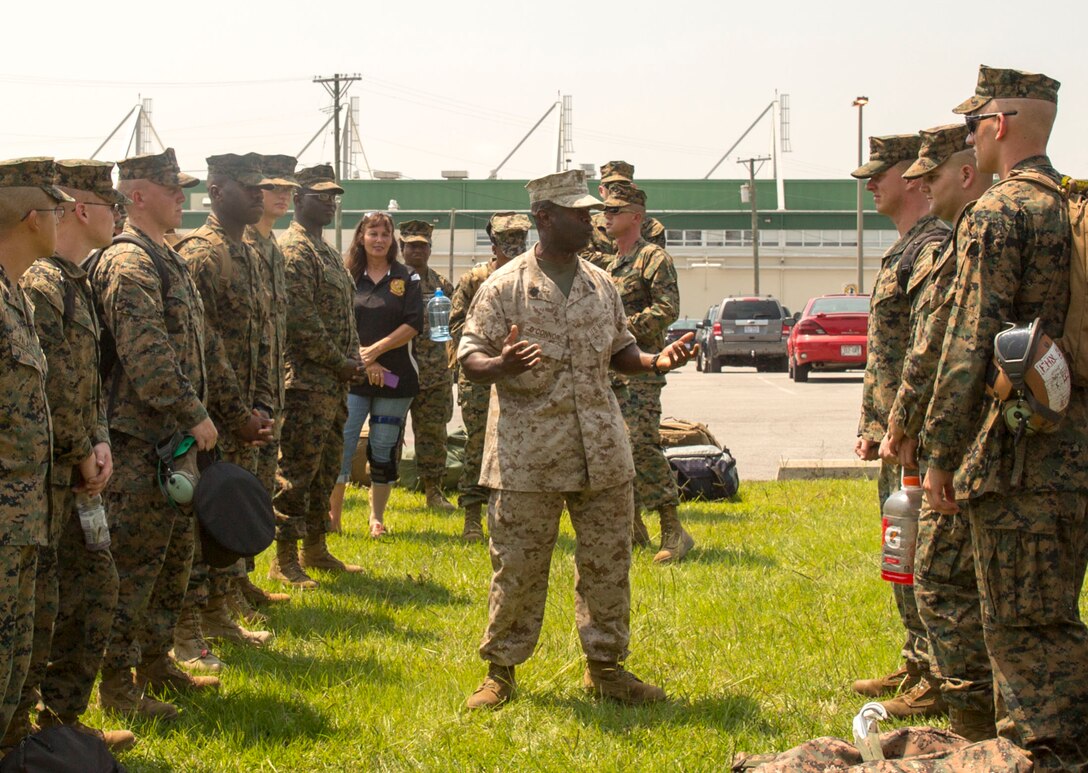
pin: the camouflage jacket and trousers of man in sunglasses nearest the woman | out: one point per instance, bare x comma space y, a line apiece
322, 339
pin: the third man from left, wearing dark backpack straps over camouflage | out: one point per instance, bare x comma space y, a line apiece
168, 366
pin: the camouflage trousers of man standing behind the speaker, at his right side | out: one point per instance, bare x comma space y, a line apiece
656, 486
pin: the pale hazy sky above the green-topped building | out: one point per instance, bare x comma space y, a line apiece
669, 87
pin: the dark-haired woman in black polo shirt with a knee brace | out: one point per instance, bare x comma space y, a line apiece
389, 314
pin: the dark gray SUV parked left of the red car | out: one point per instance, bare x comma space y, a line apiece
748, 330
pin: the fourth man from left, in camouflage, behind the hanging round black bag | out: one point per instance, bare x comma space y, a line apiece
228, 274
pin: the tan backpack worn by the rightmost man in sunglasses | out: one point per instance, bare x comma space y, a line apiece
1074, 341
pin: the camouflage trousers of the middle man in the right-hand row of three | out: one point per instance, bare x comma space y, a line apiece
947, 593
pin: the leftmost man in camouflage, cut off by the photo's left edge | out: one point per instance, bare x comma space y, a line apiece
26, 428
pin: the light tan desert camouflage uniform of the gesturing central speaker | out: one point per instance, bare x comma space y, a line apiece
555, 436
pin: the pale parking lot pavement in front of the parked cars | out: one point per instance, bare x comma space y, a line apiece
766, 419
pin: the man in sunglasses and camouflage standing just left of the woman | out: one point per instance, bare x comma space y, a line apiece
323, 358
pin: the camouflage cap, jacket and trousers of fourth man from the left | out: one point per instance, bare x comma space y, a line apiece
228, 274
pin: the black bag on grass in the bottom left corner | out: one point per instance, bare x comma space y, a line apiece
60, 750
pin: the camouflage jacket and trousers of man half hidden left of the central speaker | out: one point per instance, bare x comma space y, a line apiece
473, 399
